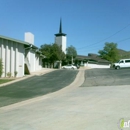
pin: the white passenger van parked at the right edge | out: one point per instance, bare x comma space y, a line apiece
123, 63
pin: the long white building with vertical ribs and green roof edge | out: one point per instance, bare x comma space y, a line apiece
19, 56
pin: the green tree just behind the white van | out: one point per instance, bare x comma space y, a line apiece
110, 52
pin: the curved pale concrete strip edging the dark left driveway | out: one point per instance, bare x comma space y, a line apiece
76, 83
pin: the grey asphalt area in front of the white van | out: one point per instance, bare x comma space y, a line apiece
106, 77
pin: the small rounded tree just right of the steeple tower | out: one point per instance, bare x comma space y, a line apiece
71, 53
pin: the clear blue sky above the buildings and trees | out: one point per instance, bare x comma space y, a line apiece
86, 22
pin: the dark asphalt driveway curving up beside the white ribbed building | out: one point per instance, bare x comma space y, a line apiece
36, 86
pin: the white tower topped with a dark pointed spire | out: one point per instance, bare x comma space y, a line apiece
60, 38
